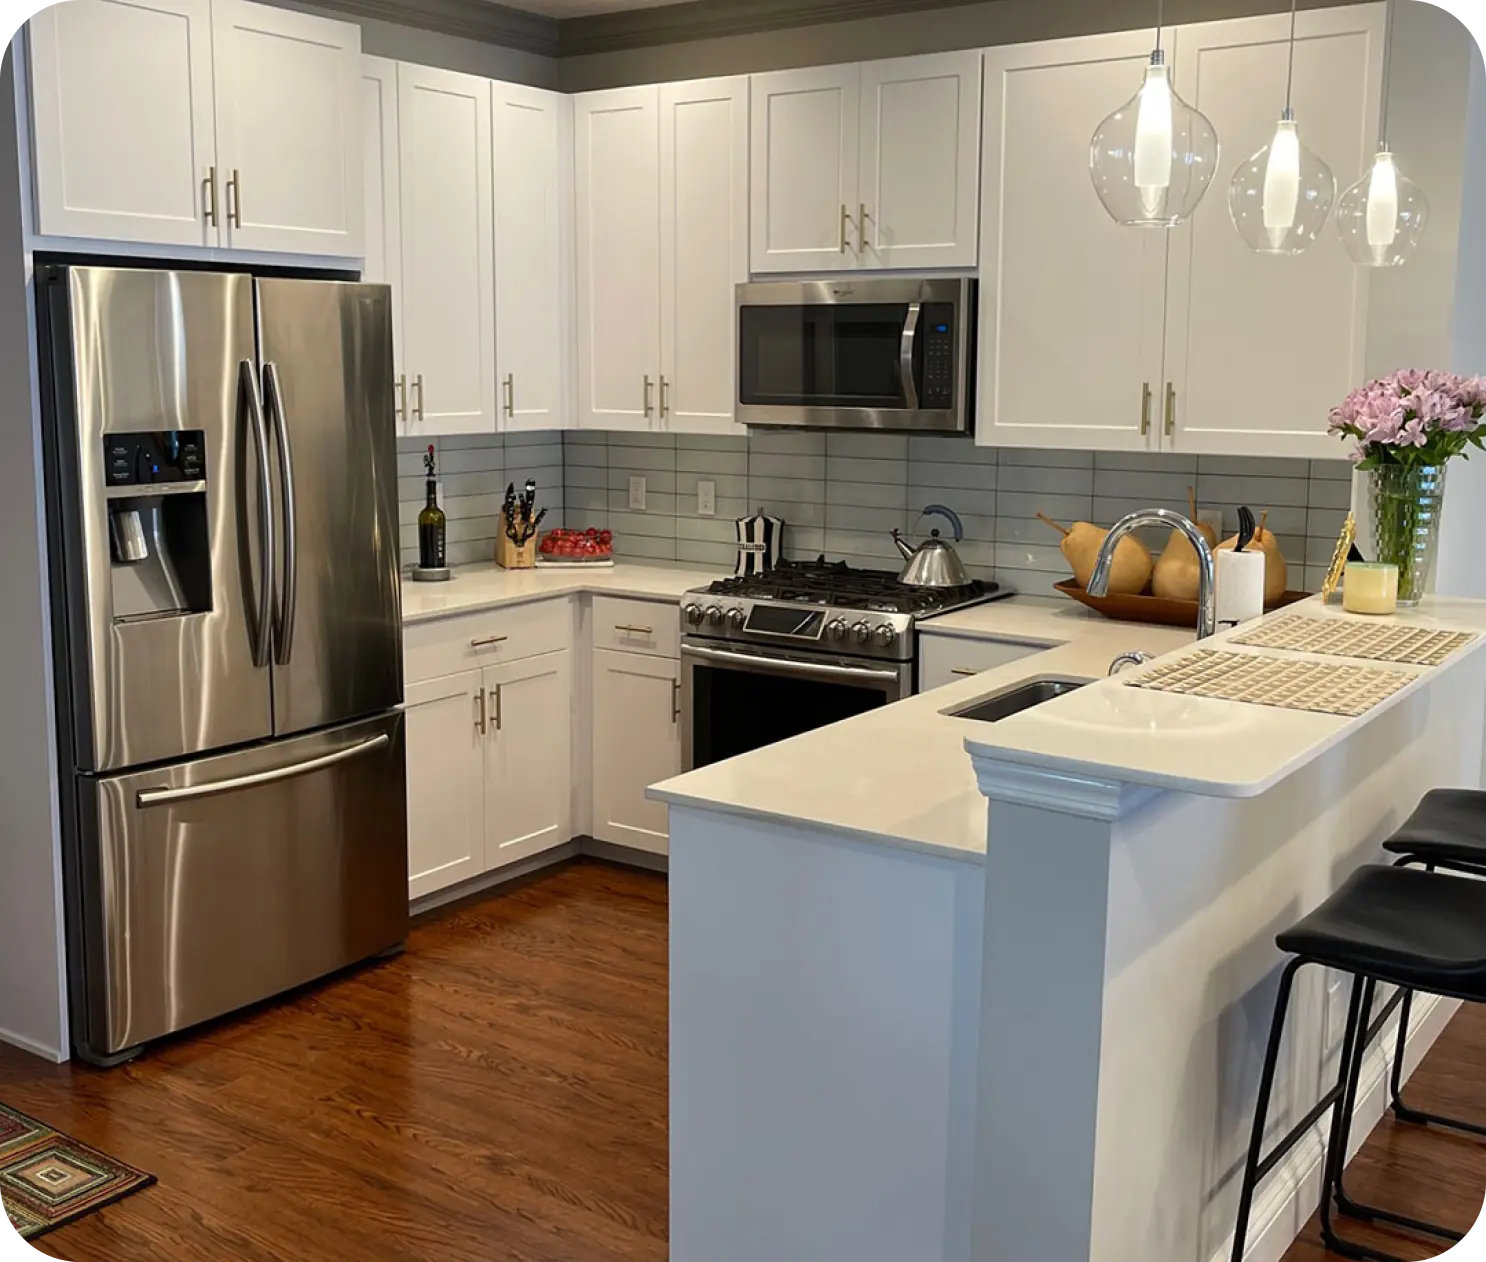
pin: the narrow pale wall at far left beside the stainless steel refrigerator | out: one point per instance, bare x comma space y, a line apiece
32, 994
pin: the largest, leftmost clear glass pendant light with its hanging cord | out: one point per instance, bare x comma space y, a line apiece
1155, 157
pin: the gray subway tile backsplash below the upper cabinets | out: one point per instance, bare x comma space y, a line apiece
842, 494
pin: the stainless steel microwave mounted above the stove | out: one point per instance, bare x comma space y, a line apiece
889, 353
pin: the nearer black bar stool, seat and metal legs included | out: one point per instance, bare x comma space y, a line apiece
1414, 930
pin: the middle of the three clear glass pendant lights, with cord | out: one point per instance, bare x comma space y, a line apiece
1282, 197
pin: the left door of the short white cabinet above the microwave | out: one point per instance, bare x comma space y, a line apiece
805, 170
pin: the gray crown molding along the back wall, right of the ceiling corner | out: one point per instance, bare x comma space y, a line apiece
705, 20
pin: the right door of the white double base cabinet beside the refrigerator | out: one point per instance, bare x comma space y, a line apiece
528, 757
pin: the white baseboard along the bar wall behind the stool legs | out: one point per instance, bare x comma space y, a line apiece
1294, 1191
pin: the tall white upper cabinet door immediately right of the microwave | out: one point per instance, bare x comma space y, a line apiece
1071, 302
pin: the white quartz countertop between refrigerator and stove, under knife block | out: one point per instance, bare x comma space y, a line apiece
473, 588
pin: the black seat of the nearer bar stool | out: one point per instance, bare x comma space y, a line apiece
1421, 930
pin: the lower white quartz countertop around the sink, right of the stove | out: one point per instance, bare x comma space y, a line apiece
900, 775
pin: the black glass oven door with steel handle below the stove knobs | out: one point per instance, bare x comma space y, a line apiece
741, 699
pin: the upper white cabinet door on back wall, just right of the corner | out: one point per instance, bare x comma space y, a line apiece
619, 258
